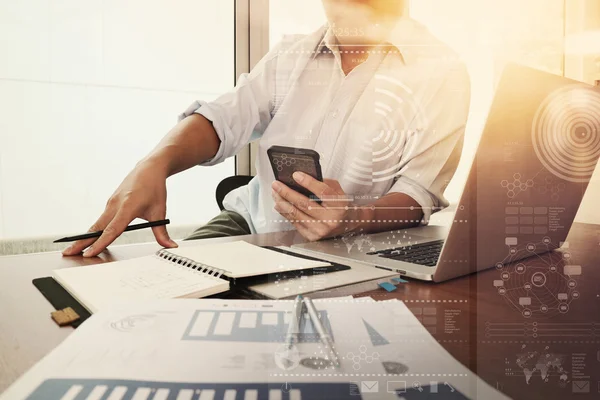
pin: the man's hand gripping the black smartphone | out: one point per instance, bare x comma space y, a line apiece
335, 215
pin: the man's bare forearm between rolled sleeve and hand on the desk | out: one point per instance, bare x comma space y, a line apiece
192, 141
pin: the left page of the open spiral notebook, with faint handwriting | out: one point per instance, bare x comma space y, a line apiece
145, 278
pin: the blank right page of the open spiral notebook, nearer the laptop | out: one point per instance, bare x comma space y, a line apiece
241, 259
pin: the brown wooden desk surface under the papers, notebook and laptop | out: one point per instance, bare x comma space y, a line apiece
468, 316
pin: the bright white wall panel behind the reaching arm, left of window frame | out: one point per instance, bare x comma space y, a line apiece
87, 88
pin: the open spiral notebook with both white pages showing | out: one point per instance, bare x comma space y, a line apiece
187, 272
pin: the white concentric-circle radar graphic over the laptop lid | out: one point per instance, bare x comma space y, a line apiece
566, 133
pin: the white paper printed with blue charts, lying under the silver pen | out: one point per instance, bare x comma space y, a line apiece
184, 349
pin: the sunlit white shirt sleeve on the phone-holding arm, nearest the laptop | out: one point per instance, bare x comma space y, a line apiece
432, 152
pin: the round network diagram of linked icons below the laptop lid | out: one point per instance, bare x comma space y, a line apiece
543, 284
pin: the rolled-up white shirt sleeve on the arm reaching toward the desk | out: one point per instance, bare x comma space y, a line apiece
243, 114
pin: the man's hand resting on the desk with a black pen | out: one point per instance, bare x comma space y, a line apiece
143, 194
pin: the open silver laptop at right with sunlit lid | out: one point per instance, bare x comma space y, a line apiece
535, 158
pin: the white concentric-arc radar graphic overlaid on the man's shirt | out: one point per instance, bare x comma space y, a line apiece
380, 156
